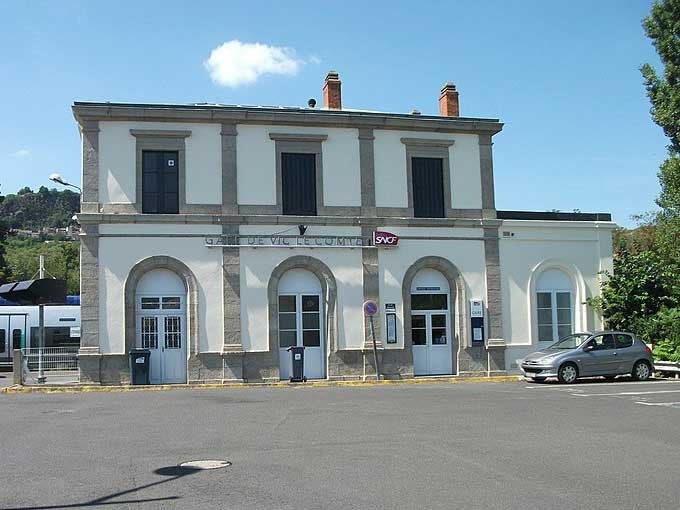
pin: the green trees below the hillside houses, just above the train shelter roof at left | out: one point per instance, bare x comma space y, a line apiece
62, 260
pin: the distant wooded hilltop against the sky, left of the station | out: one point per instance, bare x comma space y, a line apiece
44, 209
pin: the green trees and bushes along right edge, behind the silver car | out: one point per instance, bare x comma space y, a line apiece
643, 293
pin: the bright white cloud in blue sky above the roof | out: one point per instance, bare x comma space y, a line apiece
235, 63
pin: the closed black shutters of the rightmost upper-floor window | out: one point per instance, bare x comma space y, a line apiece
428, 187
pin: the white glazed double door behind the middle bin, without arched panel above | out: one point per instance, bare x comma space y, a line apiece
301, 325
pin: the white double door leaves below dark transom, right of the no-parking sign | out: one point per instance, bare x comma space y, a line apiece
431, 340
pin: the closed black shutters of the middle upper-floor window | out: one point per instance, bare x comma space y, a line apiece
298, 184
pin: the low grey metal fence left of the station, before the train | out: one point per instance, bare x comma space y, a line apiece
50, 365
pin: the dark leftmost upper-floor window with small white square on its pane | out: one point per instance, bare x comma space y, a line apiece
160, 182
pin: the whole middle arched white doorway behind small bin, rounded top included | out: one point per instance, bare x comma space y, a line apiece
300, 322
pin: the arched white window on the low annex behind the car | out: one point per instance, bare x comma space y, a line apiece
554, 305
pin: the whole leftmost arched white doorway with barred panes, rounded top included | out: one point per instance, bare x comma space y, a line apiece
161, 324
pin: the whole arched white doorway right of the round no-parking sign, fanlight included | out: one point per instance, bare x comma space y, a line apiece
431, 323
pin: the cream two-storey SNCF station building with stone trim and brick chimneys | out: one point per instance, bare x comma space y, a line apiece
219, 236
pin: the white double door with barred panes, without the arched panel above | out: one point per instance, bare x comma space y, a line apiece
161, 328
